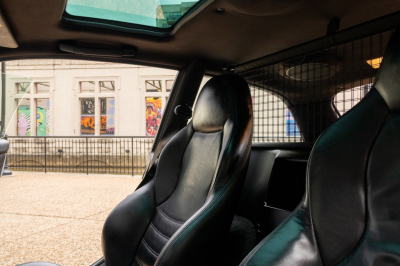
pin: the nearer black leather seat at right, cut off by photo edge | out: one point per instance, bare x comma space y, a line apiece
351, 211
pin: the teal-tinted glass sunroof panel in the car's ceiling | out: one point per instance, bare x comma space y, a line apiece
154, 13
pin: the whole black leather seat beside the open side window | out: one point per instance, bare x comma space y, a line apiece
176, 217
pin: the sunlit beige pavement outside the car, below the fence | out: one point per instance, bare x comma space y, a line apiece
57, 217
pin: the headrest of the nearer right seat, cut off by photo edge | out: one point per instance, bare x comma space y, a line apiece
387, 80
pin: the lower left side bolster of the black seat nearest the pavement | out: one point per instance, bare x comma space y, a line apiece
125, 226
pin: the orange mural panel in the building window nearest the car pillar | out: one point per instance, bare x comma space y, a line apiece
153, 115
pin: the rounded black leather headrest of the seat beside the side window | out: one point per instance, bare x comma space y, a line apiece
221, 97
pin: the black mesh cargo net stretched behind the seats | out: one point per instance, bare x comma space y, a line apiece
296, 100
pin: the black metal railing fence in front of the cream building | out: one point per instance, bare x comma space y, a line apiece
105, 155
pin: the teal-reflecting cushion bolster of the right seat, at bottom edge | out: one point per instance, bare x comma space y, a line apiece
291, 243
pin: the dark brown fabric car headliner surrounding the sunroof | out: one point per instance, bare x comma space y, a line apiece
241, 33
